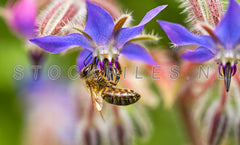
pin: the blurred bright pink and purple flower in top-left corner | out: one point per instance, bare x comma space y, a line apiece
21, 17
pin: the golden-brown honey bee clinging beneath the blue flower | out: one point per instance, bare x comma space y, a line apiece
103, 89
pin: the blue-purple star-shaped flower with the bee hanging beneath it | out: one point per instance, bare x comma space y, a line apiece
101, 38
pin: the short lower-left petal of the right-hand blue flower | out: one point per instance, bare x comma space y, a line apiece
200, 54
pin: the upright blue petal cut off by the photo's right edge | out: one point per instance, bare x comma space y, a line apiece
228, 30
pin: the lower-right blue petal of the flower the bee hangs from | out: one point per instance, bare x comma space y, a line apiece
136, 52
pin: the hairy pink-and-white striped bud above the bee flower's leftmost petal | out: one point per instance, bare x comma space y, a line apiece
59, 13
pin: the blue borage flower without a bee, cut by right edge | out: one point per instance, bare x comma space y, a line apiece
221, 44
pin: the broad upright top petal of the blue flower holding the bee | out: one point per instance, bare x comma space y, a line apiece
99, 24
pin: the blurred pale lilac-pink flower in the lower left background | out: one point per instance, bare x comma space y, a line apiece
50, 112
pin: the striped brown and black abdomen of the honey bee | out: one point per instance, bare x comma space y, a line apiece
118, 96
